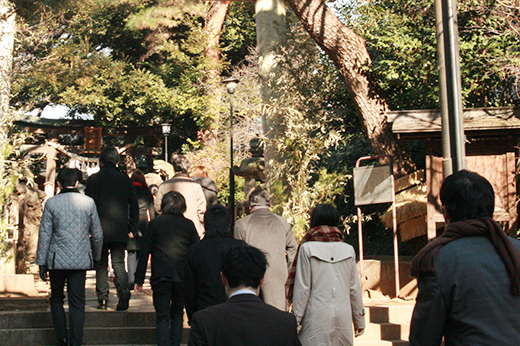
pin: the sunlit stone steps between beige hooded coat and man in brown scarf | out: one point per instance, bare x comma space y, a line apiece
387, 323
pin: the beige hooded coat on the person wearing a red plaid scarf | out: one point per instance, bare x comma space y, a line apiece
327, 297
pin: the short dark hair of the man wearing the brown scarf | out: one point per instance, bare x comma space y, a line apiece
467, 195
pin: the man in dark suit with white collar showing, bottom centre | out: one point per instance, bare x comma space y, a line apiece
244, 319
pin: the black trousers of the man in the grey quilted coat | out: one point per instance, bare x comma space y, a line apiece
76, 294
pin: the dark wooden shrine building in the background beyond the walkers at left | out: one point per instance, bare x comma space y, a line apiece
81, 141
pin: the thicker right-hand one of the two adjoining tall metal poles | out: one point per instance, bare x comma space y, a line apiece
453, 83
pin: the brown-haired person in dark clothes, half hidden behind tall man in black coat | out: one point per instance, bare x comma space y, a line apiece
146, 214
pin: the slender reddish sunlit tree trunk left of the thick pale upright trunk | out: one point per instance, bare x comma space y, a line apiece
214, 26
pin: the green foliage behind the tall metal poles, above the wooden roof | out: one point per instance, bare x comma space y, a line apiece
401, 40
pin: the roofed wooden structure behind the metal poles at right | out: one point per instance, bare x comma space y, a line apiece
492, 141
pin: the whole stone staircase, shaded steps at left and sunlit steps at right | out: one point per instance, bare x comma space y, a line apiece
388, 323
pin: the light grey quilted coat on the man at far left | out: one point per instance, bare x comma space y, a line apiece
70, 234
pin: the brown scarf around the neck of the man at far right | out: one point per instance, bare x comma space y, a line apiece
485, 227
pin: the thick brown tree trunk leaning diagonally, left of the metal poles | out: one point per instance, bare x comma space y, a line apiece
349, 53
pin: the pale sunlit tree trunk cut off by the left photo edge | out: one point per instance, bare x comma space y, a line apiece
7, 31
